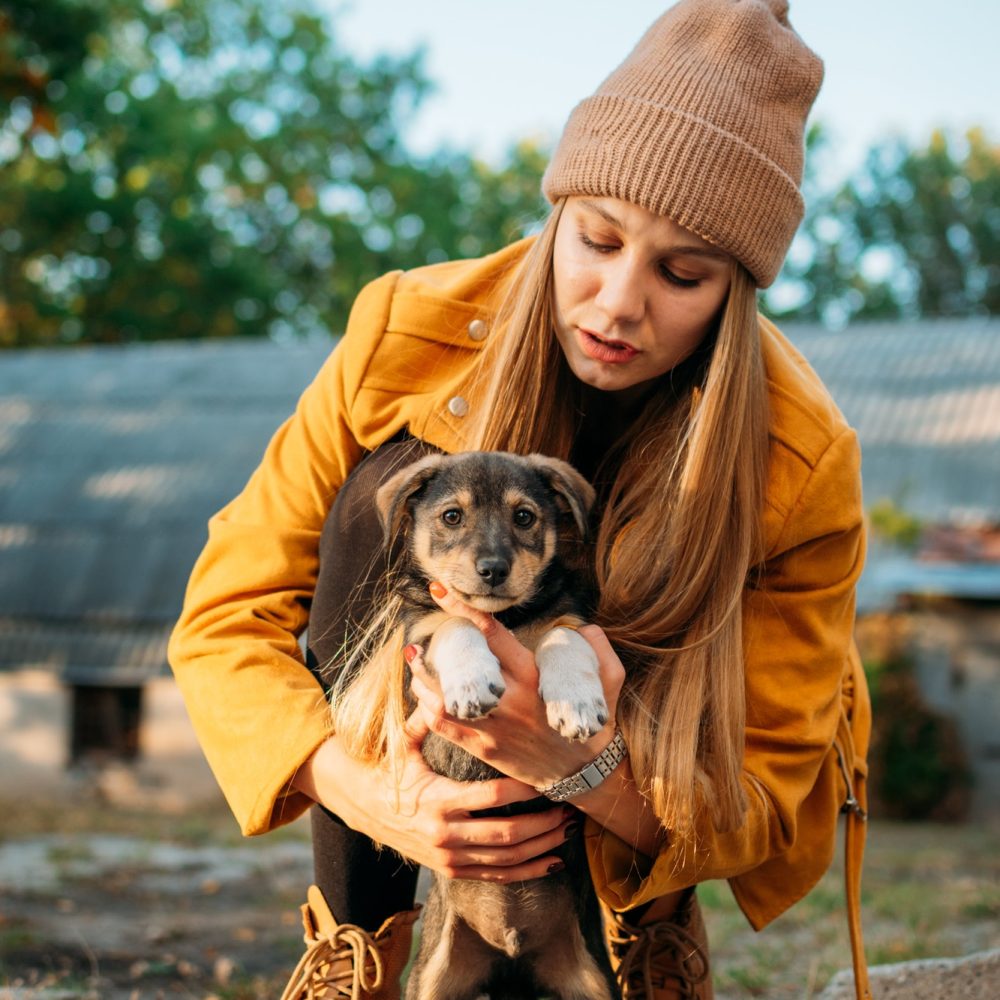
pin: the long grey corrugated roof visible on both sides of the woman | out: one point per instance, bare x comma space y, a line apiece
112, 459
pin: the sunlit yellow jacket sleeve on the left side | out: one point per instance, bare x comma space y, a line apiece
257, 711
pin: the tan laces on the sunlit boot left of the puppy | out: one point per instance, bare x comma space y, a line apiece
337, 965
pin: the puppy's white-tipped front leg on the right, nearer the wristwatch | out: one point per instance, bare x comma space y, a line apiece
570, 684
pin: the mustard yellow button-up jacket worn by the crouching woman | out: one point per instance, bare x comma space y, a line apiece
405, 361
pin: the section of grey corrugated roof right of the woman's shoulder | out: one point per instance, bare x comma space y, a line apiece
925, 399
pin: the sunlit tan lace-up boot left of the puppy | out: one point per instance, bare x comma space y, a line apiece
345, 961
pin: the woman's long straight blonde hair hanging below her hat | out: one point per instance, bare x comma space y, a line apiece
678, 536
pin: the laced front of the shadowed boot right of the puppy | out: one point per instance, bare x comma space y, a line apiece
655, 956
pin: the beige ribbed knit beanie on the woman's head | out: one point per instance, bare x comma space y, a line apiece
702, 123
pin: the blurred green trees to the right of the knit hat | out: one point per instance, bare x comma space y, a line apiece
913, 232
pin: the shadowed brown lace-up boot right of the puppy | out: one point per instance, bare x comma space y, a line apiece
662, 955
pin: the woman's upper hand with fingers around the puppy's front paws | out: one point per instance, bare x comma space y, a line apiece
516, 737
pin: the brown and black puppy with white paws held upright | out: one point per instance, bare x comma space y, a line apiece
502, 532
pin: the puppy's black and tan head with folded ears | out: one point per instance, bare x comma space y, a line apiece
485, 525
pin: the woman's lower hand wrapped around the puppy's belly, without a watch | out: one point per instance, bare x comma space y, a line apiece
426, 817
